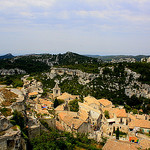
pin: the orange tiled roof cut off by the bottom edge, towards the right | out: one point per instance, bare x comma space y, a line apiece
120, 145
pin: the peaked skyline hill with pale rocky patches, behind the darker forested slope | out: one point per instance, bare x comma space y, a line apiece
67, 58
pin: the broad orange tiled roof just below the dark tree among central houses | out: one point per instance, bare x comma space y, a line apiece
70, 118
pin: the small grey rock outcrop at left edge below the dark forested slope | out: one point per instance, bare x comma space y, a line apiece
11, 71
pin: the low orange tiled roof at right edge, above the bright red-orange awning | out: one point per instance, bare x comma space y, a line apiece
139, 123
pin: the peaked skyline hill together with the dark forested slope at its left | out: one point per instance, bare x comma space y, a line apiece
42, 62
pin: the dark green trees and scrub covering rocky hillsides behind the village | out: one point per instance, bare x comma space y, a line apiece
111, 82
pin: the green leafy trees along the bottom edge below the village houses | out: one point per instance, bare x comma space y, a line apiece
55, 139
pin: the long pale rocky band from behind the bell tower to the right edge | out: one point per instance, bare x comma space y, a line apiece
131, 84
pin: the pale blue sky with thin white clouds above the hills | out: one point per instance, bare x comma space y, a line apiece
103, 27
